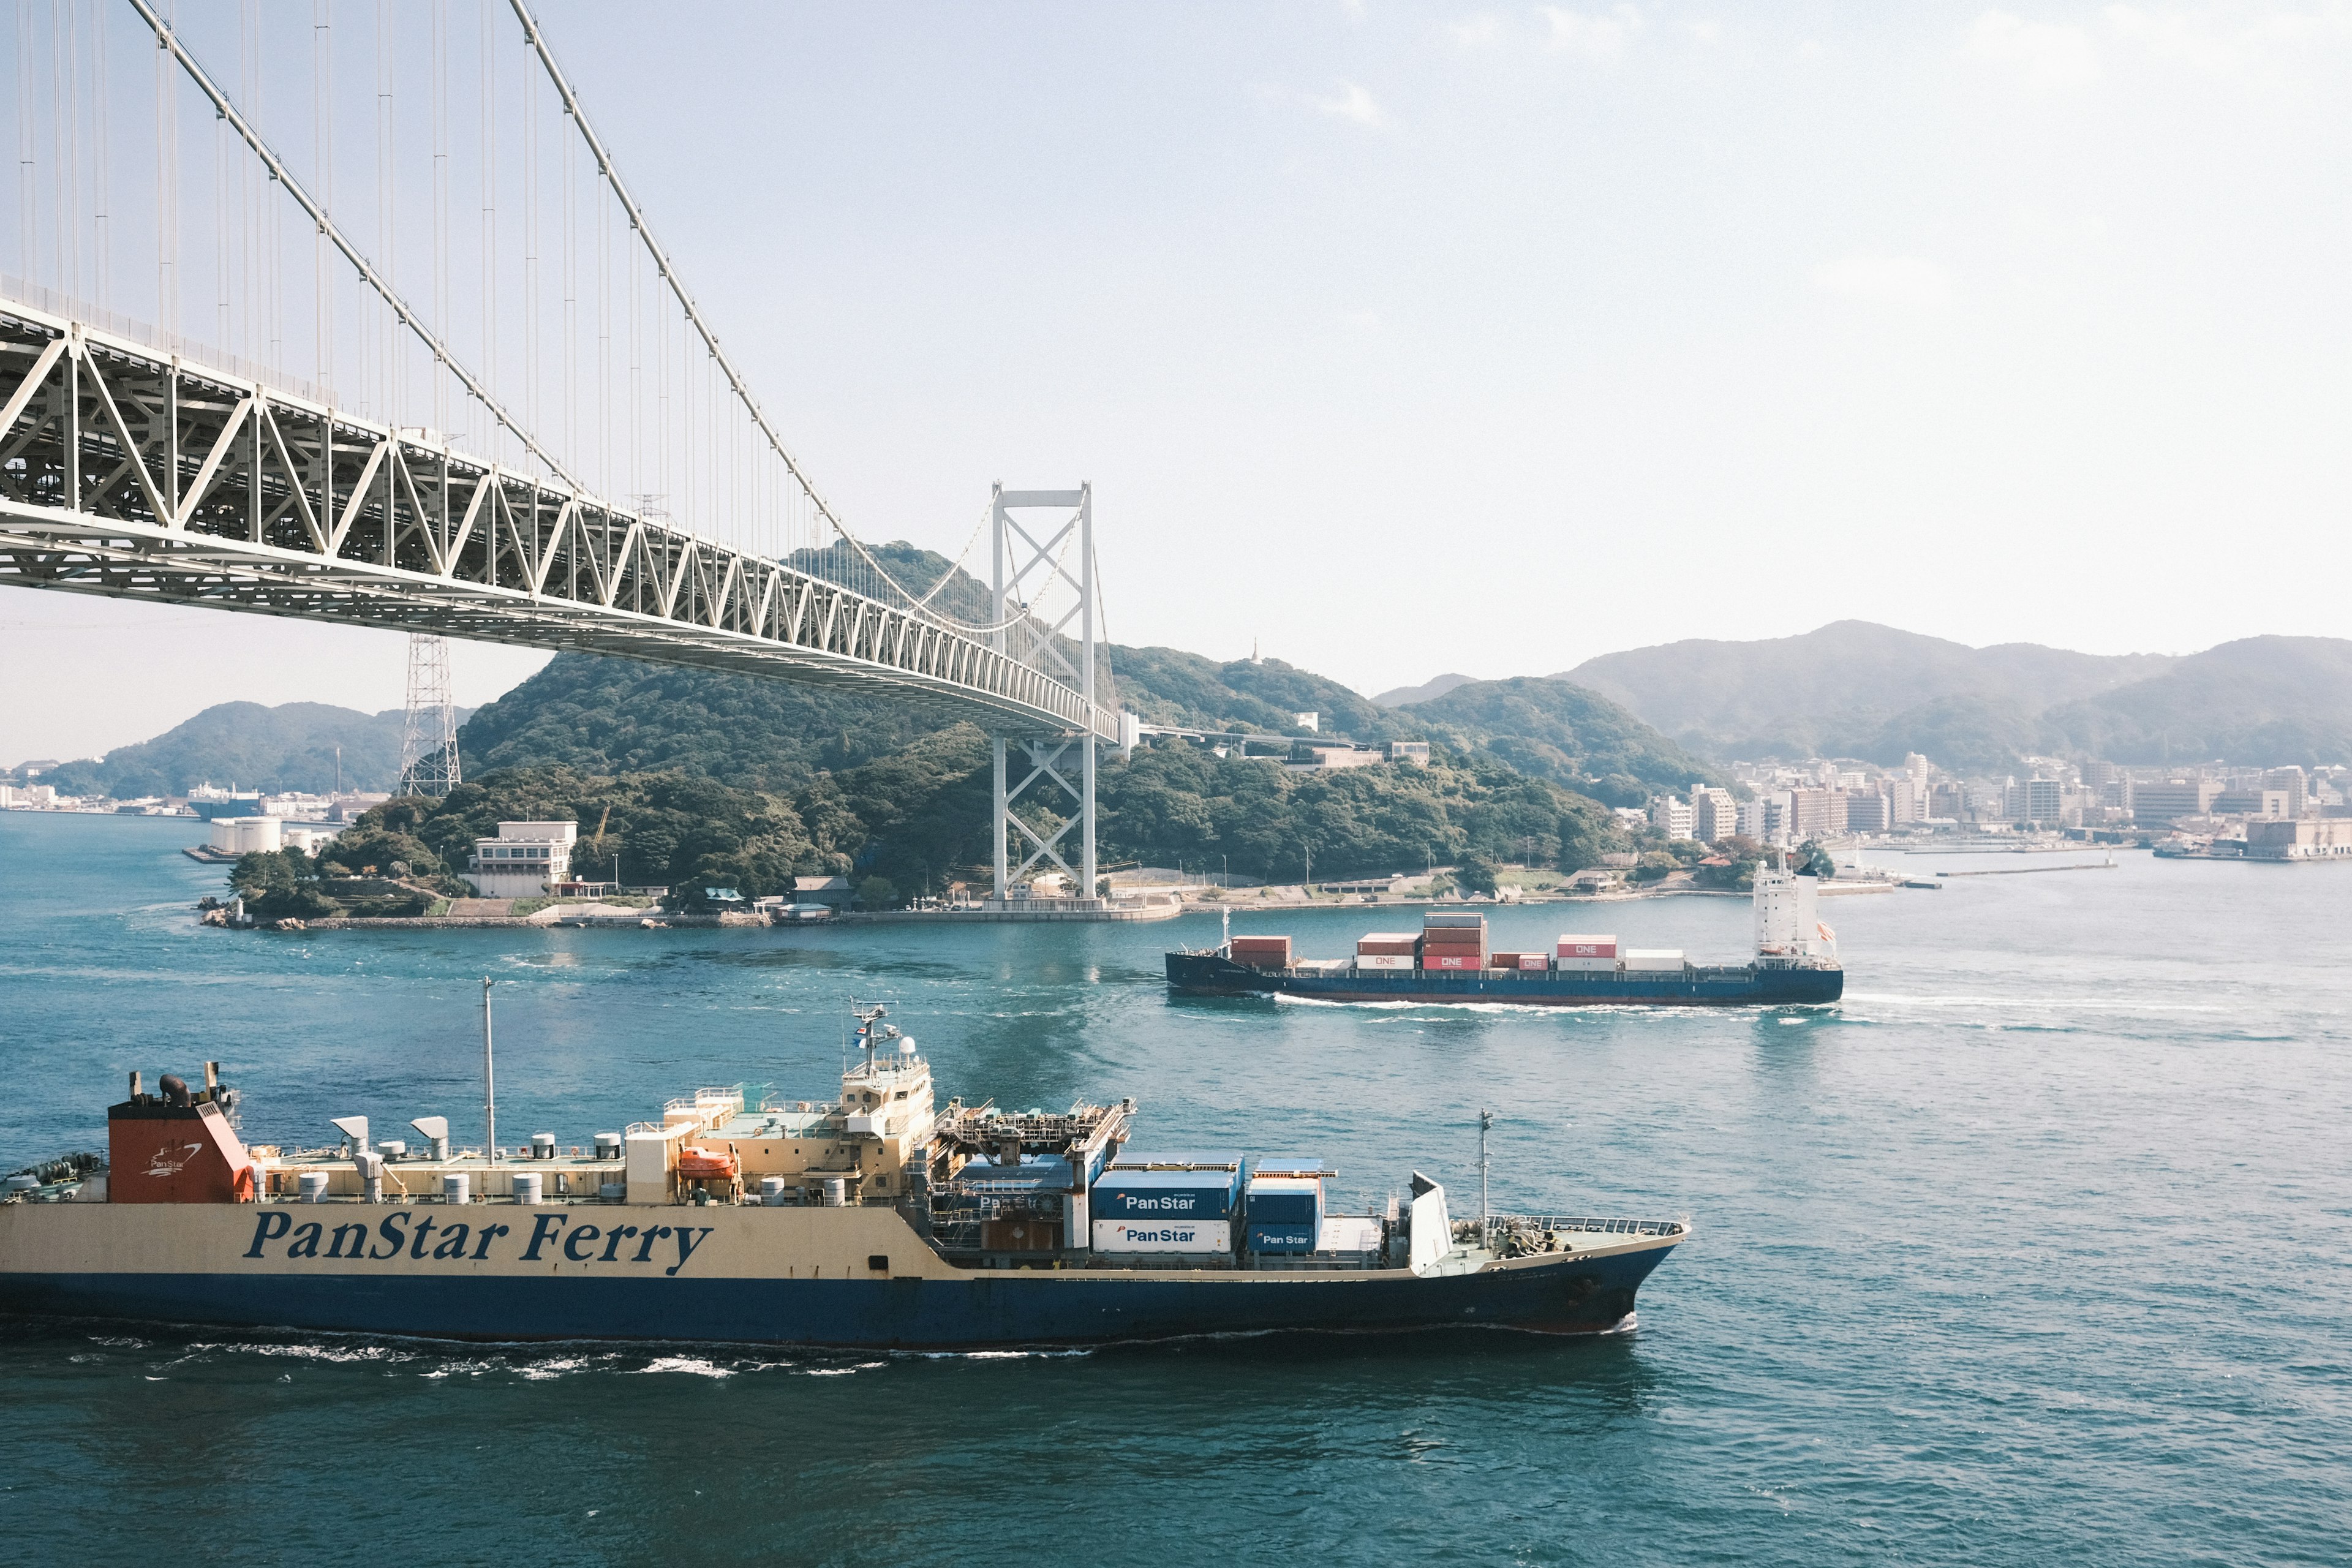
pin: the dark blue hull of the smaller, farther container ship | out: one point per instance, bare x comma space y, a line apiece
1208, 974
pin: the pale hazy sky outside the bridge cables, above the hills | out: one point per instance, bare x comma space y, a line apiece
1403, 340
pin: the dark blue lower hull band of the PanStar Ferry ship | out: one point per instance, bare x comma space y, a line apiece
987, 1311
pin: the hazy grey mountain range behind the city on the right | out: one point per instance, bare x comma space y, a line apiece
1873, 692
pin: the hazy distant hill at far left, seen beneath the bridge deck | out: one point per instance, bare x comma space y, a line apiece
288, 749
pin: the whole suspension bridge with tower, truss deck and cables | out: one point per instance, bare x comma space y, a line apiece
559, 457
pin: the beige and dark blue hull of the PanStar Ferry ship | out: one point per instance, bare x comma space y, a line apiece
843, 1280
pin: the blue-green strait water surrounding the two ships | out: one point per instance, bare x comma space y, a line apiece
2038, 1249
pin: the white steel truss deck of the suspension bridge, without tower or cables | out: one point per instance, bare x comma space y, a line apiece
142, 476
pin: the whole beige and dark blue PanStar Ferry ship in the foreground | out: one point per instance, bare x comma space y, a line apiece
876, 1221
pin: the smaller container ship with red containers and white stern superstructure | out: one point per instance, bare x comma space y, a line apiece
1450, 960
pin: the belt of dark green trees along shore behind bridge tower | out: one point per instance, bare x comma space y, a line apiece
918, 822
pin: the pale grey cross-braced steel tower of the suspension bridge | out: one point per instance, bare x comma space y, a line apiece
1027, 563
